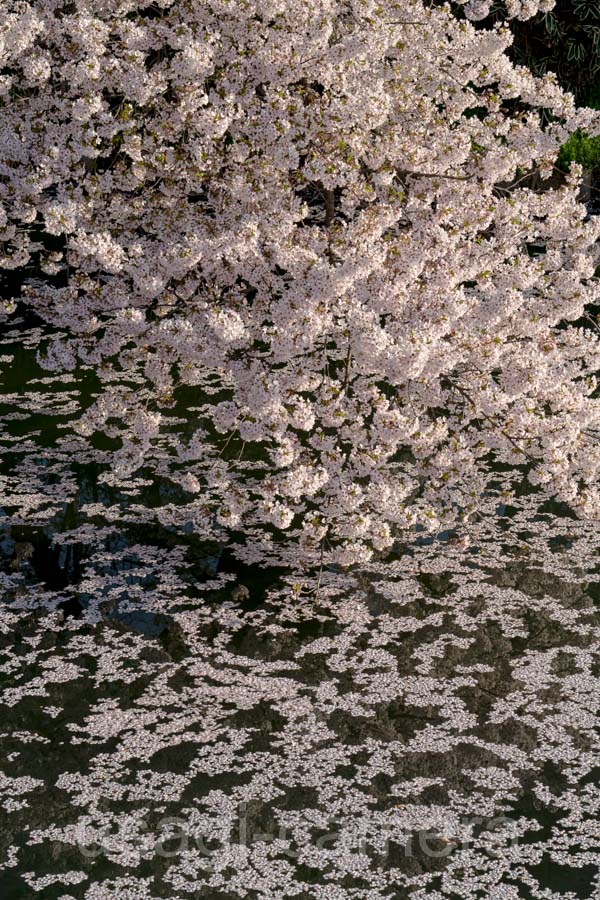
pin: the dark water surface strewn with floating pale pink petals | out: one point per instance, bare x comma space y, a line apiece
424, 727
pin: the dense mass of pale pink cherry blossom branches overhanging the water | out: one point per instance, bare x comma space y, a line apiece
305, 222
